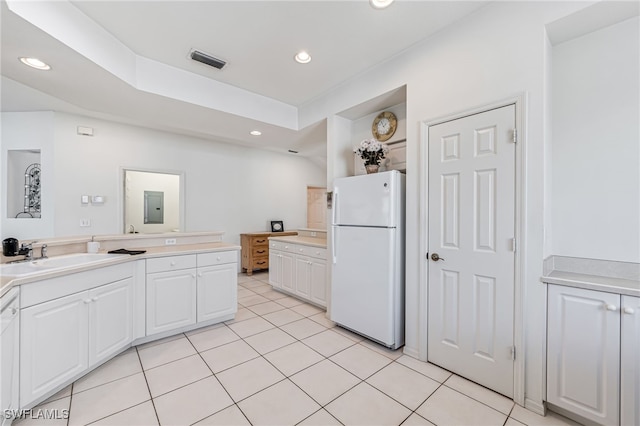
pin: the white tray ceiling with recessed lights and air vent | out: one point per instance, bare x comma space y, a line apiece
128, 61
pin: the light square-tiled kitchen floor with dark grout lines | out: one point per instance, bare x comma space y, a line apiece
279, 362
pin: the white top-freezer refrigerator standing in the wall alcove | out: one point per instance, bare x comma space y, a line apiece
367, 250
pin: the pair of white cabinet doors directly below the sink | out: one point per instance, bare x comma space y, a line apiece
64, 337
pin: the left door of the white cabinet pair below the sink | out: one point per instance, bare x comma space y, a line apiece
53, 345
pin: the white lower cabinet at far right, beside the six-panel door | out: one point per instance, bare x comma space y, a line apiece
587, 354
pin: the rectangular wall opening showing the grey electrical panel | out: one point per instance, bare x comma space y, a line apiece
153, 201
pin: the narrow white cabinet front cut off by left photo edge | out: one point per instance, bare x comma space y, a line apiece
9, 354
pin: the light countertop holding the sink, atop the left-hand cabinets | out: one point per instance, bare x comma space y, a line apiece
7, 282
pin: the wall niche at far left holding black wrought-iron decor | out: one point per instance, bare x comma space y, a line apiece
24, 184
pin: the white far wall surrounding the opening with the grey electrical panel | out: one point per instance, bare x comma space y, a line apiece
228, 188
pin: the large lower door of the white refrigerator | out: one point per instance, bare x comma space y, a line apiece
363, 294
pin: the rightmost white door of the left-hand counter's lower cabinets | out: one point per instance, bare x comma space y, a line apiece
217, 291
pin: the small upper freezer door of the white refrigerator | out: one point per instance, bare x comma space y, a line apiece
367, 200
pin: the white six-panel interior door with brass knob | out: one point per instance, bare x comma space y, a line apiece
471, 230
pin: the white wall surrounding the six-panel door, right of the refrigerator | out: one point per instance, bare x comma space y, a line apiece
498, 52
